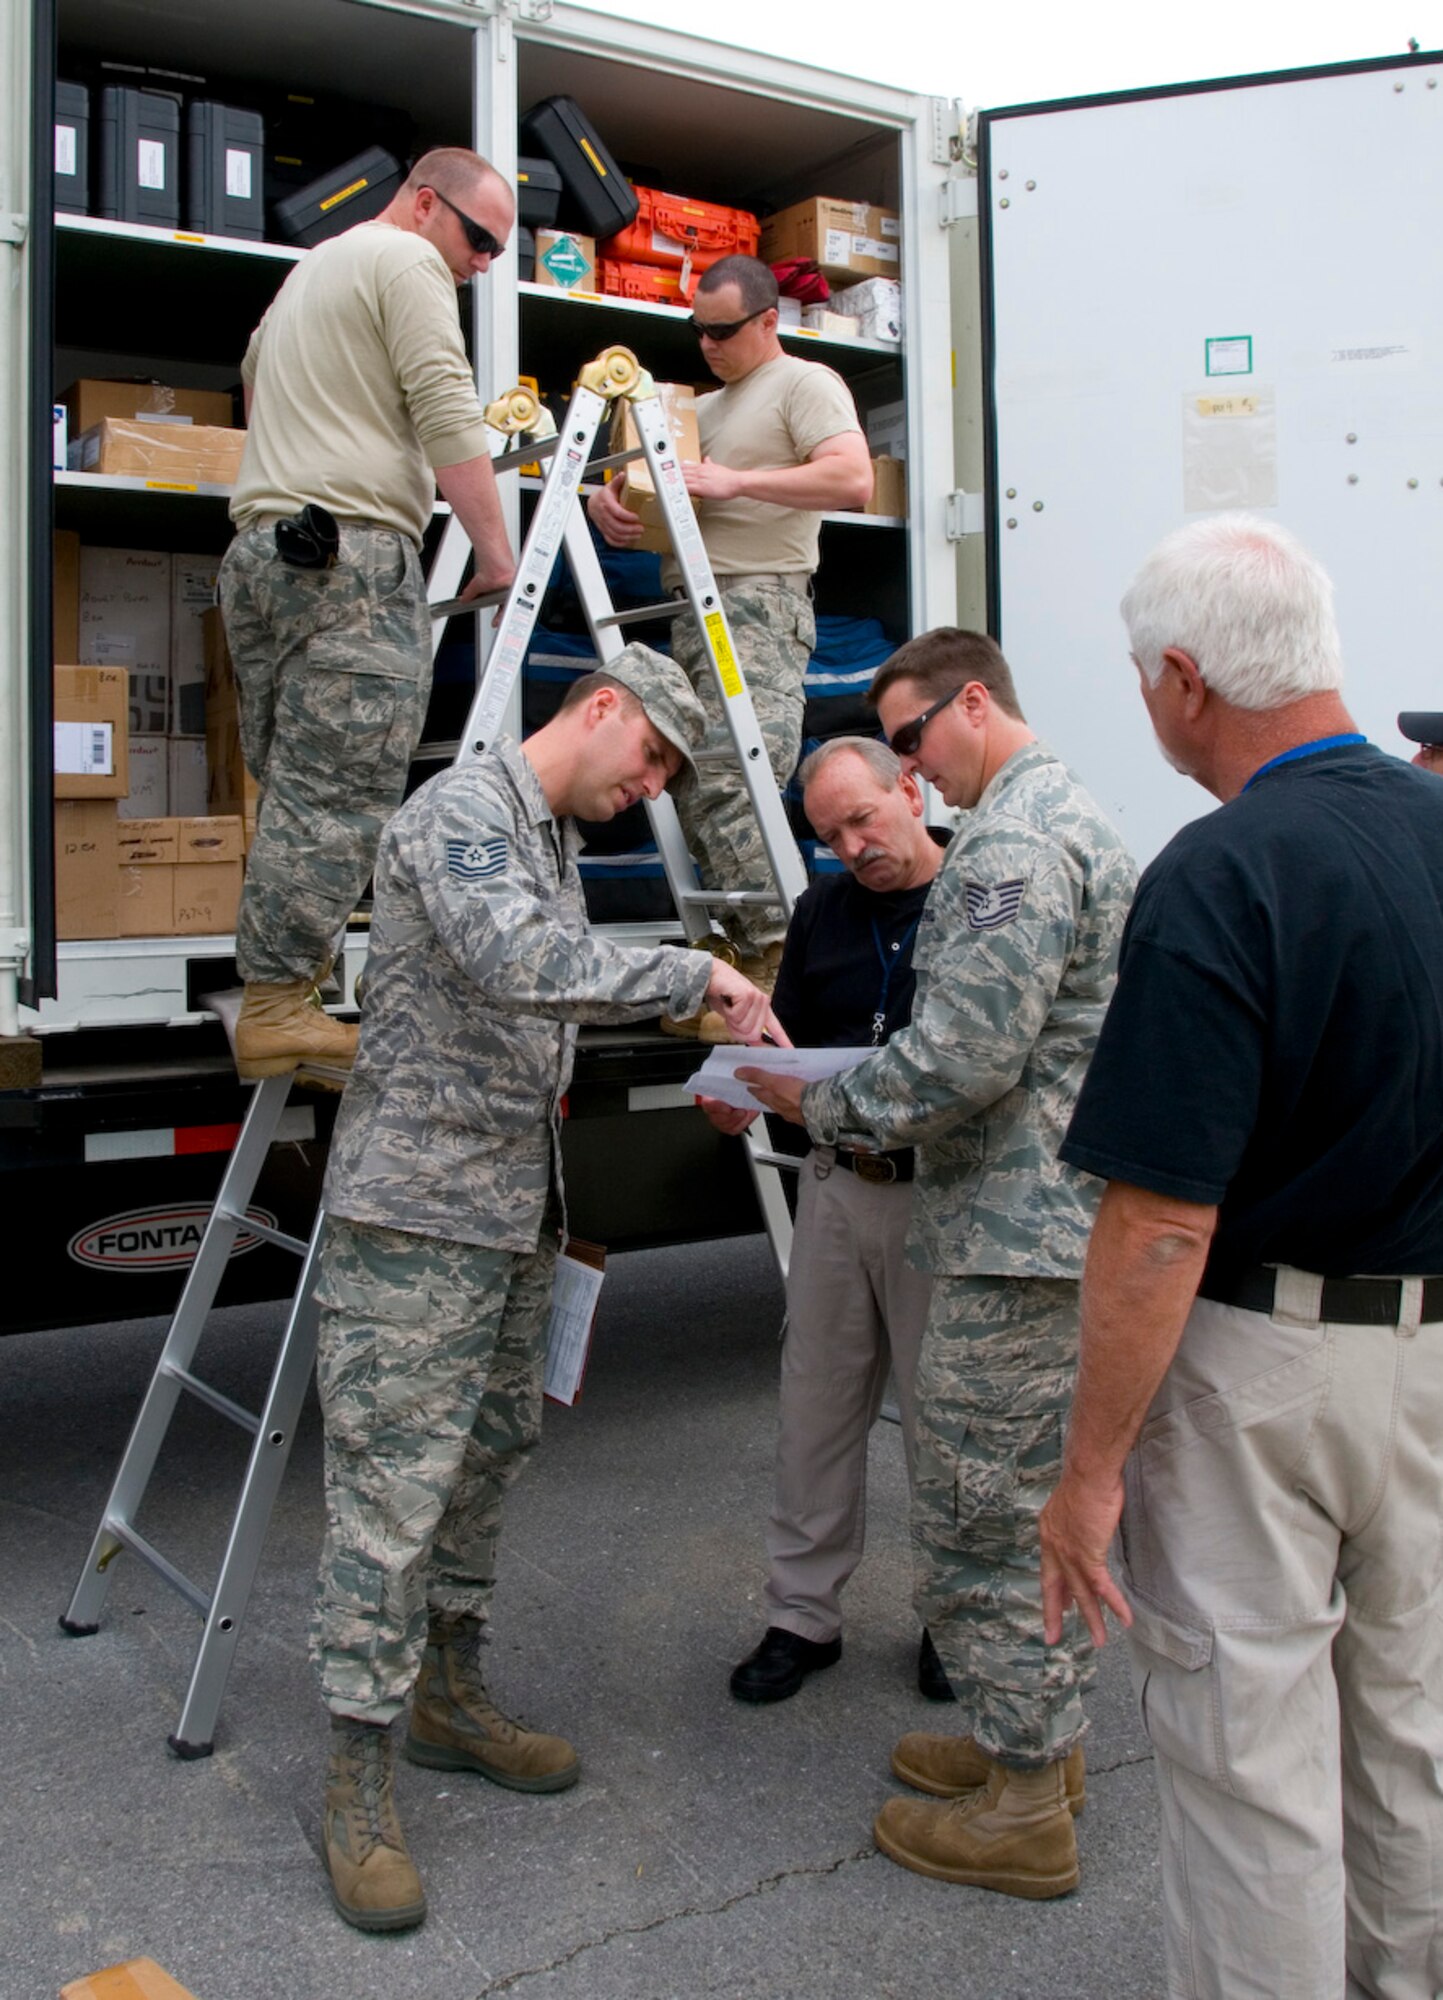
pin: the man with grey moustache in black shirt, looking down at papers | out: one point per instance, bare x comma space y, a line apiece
856, 1307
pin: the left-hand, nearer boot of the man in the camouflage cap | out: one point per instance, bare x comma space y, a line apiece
373, 1879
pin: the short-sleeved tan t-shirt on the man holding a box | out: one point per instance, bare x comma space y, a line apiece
774, 417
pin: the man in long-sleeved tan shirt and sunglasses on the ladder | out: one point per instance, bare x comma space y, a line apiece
361, 405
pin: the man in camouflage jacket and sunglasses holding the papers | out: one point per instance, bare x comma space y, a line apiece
1016, 961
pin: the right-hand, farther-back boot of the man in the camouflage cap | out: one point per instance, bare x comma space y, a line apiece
459, 1727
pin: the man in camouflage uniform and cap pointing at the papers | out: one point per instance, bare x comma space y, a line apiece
445, 1205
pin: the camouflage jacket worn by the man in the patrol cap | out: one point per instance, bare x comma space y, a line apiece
479, 973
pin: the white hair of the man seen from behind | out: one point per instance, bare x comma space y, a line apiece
1248, 603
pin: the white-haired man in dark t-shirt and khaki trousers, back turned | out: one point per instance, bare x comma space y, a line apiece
1262, 1359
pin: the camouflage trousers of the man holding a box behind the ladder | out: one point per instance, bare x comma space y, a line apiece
774, 635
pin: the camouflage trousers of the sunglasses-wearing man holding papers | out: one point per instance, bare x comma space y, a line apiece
994, 1387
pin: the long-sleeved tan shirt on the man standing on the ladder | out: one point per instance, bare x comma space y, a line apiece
361, 385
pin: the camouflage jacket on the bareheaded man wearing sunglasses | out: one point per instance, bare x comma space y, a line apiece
1016, 959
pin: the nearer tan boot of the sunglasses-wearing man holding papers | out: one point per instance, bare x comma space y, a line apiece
1014, 1835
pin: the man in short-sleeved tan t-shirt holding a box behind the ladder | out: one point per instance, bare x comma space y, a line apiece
782, 447
